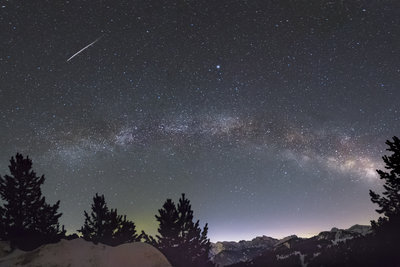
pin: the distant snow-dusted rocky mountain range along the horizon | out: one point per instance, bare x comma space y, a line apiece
291, 248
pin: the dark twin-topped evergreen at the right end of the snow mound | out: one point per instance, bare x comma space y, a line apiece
179, 238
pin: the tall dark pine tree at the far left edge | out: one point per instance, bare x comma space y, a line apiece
28, 221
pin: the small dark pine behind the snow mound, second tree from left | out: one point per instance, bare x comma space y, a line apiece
106, 226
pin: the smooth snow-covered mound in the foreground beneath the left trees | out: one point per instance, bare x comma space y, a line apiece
78, 252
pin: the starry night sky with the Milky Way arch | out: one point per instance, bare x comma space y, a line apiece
270, 115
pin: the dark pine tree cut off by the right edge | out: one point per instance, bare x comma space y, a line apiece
389, 203
